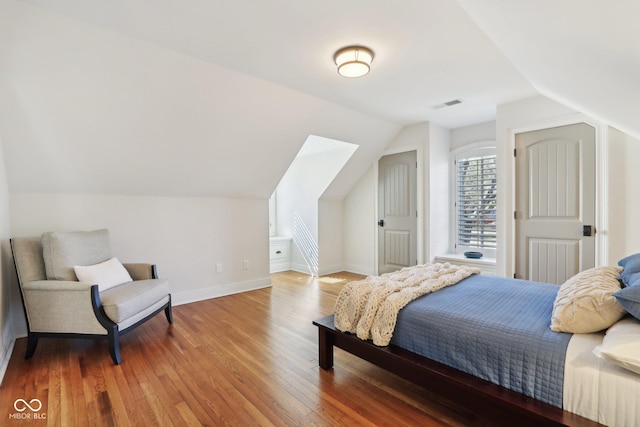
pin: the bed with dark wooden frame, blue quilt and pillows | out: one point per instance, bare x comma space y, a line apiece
478, 342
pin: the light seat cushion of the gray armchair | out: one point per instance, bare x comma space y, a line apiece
128, 299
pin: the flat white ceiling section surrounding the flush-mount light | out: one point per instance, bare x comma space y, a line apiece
426, 51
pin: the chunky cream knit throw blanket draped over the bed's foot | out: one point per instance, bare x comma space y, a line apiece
369, 307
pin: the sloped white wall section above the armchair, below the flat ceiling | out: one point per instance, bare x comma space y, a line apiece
88, 110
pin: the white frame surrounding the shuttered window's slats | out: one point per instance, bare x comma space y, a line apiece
483, 148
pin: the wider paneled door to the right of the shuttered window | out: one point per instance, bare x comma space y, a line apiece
555, 203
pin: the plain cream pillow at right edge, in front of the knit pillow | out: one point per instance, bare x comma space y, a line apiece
621, 345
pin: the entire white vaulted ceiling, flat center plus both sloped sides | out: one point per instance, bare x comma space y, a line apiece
214, 98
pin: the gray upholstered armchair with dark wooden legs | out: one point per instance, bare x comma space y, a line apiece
56, 304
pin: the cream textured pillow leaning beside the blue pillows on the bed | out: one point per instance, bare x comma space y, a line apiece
585, 302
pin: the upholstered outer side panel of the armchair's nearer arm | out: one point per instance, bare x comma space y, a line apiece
60, 306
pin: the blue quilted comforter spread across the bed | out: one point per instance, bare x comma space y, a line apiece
493, 328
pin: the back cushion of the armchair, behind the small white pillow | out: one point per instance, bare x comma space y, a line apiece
64, 250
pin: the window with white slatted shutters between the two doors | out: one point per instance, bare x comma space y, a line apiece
475, 198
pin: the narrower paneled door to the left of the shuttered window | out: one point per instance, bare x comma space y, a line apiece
397, 210
